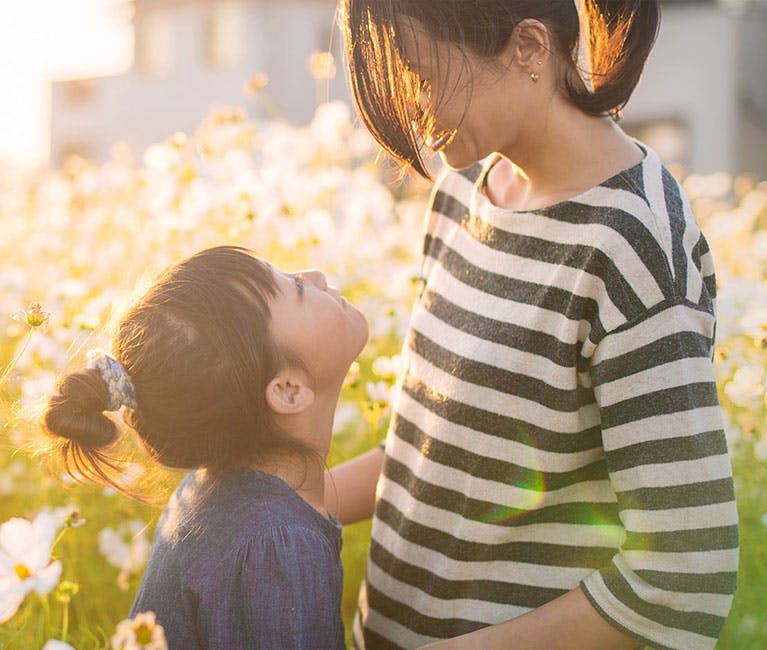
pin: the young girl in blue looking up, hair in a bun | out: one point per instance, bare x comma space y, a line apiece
231, 368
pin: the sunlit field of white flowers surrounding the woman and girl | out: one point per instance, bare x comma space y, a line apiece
75, 243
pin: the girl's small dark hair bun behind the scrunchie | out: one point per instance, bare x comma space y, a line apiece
76, 412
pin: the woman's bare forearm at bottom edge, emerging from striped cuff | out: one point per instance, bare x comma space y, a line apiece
569, 622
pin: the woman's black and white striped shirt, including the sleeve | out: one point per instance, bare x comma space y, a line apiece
557, 423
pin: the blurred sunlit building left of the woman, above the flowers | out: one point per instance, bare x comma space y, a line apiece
192, 55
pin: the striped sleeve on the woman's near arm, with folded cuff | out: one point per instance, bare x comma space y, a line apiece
672, 581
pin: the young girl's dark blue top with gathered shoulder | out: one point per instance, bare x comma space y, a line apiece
244, 563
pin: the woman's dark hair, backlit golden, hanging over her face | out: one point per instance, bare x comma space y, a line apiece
386, 88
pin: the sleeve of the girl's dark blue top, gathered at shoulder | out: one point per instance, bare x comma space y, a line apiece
284, 591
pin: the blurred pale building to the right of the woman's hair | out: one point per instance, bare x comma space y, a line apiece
702, 101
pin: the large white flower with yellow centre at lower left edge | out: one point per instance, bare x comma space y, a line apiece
25, 561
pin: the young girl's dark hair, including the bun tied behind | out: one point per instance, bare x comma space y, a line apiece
199, 353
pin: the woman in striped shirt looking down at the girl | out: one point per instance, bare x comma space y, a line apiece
555, 474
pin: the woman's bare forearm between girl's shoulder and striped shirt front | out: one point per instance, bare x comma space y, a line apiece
350, 487
